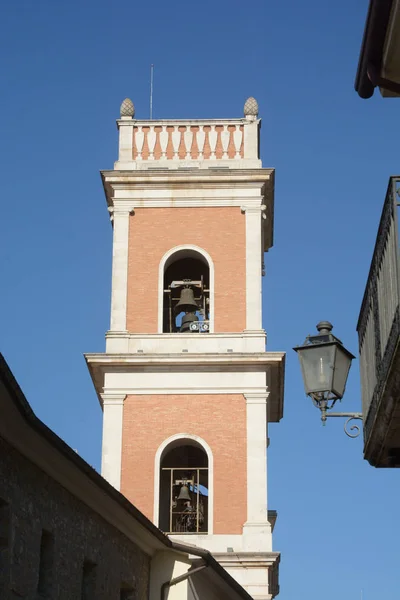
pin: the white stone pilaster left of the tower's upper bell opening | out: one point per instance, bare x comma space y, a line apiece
119, 269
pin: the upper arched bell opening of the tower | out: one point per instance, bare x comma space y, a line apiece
186, 293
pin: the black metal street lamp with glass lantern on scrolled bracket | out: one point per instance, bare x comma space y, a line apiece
325, 365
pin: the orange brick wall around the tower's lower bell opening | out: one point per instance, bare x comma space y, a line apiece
219, 419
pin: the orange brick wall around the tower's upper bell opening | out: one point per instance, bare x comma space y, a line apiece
218, 230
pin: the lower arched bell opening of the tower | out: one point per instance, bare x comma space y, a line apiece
183, 505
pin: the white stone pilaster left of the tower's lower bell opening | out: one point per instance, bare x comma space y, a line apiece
111, 454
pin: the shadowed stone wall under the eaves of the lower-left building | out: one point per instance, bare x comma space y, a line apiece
29, 502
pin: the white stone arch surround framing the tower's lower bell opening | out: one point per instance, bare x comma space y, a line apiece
157, 463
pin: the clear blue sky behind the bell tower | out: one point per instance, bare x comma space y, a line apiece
65, 68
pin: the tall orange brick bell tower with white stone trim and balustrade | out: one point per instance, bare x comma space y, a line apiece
186, 385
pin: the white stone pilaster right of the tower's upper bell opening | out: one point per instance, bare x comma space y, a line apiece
253, 268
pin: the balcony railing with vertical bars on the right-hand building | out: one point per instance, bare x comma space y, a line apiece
379, 322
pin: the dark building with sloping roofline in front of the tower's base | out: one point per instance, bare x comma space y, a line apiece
67, 534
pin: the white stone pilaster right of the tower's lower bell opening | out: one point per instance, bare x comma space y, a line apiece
256, 406
